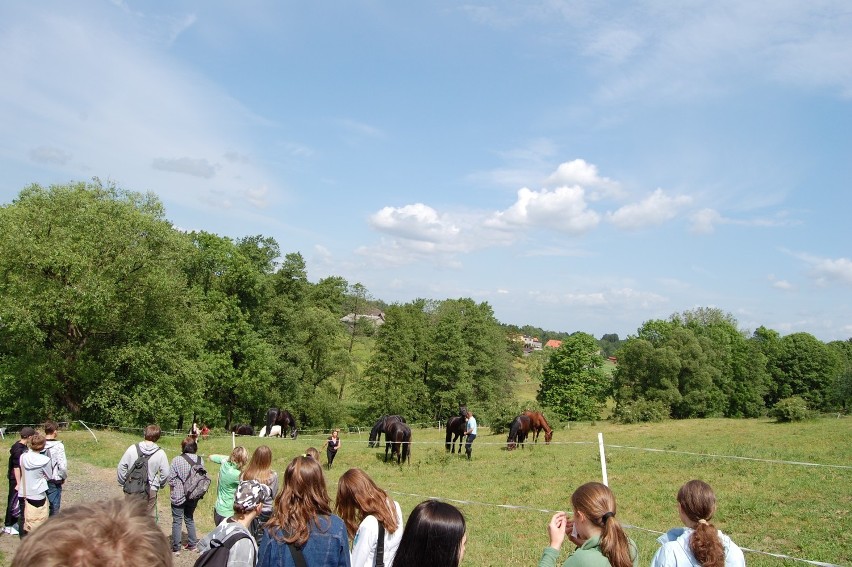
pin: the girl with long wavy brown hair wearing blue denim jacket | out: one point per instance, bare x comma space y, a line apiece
302, 521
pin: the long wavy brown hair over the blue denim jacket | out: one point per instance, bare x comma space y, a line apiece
302, 501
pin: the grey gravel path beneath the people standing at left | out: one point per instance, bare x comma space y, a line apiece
91, 483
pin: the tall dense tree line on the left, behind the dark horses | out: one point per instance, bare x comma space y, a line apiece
108, 313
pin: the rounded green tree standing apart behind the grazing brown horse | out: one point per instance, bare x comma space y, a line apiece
573, 384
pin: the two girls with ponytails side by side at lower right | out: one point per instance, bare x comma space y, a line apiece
601, 541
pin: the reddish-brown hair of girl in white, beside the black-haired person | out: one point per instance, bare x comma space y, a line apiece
358, 497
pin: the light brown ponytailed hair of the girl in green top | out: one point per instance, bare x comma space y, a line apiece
597, 502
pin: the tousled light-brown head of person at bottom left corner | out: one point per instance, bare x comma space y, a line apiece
86, 534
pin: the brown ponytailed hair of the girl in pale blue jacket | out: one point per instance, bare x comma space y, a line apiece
698, 503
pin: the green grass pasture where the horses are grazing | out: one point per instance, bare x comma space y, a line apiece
789, 509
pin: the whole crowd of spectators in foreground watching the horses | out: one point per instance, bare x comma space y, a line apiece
259, 524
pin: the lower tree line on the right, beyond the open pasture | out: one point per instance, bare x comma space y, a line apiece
699, 364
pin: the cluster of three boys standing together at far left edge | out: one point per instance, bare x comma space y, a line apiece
37, 470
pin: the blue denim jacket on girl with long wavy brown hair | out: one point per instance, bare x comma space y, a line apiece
327, 546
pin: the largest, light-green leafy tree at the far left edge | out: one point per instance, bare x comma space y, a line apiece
96, 318
